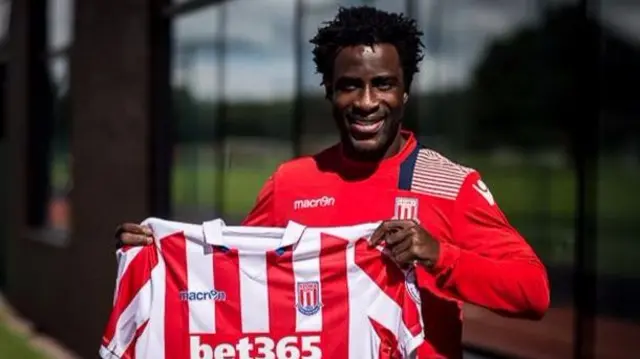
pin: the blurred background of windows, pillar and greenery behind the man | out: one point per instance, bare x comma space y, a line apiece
118, 110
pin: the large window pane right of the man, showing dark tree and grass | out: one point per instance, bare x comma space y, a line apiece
495, 90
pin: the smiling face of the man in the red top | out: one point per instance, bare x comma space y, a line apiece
368, 96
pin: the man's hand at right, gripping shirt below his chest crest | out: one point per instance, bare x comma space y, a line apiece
407, 242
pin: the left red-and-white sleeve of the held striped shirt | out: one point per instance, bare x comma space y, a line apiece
131, 302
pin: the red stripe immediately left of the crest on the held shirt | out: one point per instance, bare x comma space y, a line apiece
282, 299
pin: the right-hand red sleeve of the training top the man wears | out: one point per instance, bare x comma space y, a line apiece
488, 263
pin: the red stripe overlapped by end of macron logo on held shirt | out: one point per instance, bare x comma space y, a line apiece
226, 278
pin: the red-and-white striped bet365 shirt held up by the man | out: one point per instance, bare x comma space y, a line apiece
213, 291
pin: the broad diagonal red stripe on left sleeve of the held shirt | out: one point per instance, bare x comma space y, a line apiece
133, 279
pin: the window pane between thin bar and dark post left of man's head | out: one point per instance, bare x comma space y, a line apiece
259, 95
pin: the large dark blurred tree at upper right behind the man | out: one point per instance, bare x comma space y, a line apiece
526, 89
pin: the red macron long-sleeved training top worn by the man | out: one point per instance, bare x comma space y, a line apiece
483, 259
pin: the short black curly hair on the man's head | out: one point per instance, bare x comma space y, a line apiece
365, 25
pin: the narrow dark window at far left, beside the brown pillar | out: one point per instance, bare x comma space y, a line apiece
49, 129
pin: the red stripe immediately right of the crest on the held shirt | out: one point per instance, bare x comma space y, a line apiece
334, 297
